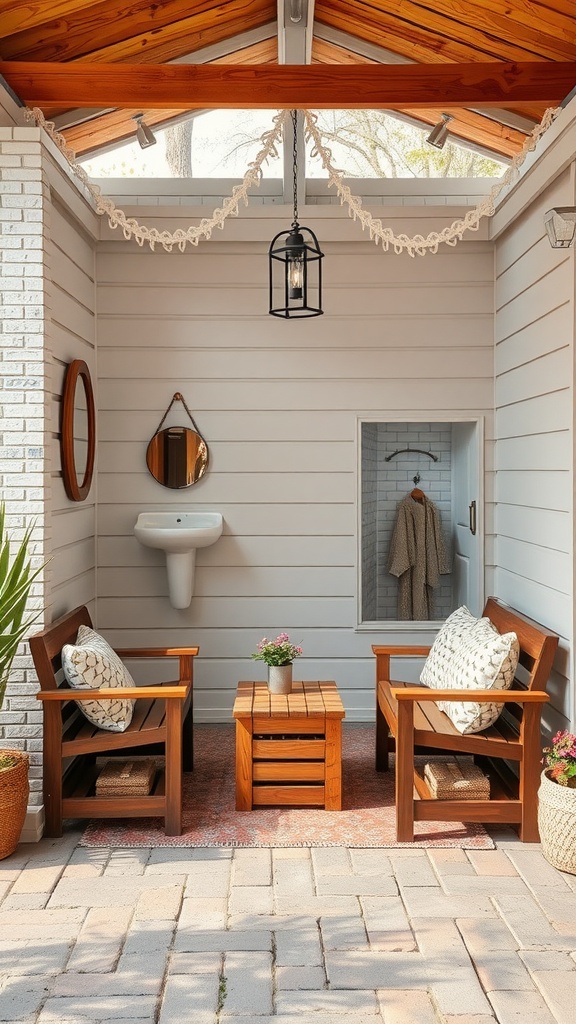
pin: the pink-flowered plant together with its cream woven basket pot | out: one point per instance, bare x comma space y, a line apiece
557, 803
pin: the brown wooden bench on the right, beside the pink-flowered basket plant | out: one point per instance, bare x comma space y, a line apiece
409, 713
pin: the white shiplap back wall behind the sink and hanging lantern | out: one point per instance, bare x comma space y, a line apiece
278, 404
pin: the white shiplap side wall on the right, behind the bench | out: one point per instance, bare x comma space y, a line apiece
534, 370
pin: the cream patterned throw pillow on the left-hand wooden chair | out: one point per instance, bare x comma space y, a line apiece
92, 664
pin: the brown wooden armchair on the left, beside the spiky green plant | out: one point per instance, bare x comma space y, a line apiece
162, 723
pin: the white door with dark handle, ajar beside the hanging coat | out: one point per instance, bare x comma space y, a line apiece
468, 569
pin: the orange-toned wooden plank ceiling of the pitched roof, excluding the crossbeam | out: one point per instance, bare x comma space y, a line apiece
433, 33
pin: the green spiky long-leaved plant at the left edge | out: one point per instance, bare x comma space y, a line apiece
17, 577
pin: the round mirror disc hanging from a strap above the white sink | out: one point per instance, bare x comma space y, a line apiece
178, 457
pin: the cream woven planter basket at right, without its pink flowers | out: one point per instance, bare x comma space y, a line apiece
557, 823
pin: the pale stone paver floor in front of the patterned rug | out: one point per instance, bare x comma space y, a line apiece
334, 936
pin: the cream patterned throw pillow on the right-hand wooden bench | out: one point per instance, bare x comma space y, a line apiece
469, 654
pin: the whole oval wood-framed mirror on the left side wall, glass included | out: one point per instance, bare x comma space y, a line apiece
78, 432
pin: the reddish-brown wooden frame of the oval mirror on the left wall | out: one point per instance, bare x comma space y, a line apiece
77, 372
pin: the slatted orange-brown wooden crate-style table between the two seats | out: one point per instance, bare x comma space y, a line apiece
289, 747
